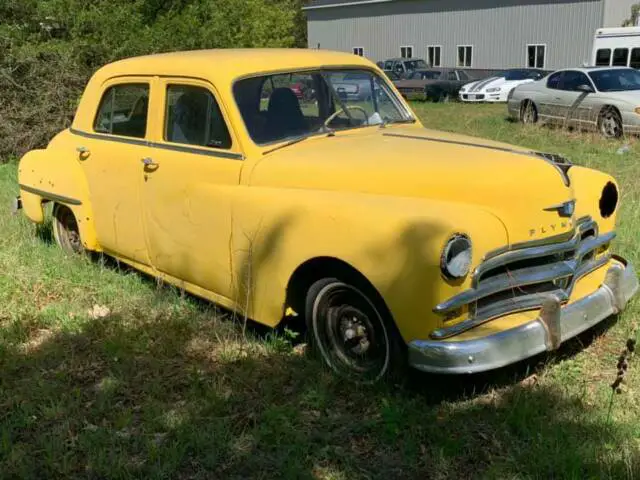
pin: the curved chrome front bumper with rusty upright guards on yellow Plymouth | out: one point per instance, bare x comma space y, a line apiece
555, 325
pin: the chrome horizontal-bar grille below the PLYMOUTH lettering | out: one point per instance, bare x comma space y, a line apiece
520, 279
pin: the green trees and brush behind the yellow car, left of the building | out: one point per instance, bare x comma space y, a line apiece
49, 48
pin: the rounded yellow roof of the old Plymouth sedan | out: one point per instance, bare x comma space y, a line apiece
225, 65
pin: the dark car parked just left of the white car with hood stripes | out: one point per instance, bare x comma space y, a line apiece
438, 85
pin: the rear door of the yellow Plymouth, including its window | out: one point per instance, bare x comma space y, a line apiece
111, 156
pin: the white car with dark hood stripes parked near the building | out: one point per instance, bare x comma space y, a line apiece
498, 87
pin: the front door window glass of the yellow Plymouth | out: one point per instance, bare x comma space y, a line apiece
193, 117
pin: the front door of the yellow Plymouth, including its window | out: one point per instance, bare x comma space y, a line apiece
190, 181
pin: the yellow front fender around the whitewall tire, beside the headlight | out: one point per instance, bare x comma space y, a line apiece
395, 242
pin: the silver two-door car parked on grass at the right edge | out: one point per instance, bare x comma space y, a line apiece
607, 99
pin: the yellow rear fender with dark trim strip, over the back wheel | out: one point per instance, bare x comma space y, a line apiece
49, 175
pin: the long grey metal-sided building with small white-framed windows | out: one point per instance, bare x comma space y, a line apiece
484, 34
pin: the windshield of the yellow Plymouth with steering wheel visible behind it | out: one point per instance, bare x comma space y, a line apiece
282, 106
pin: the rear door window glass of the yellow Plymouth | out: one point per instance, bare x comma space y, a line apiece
123, 110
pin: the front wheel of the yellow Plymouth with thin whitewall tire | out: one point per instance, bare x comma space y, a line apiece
351, 332
